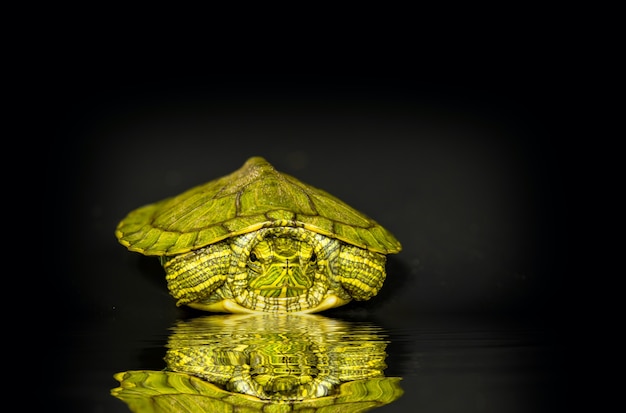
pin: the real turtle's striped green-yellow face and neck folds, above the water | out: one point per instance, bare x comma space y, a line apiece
285, 269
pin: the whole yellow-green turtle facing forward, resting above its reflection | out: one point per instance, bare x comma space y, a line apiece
258, 240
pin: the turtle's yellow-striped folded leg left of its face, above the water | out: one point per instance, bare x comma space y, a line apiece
194, 276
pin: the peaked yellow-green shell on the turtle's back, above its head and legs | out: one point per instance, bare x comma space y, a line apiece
253, 197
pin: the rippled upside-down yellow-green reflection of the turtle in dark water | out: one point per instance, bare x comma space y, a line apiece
268, 363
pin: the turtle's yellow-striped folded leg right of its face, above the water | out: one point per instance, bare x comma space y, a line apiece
360, 272
